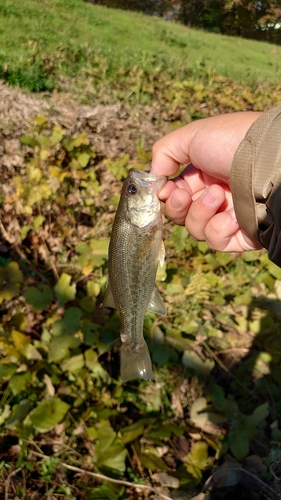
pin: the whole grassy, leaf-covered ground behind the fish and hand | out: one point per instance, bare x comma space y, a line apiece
210, 423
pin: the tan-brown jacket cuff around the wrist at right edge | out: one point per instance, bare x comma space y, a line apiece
256, 183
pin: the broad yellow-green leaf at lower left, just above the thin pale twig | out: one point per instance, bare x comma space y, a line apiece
48, 414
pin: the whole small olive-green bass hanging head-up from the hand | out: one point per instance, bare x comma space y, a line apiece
135, 249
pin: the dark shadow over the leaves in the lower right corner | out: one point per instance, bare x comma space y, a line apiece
254, 380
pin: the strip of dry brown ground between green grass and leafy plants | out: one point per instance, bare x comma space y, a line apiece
112, 129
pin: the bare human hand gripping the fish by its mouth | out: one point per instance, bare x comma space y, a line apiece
200, 197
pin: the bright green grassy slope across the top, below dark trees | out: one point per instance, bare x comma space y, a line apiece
84, 34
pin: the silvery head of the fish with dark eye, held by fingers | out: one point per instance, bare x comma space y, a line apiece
141, 190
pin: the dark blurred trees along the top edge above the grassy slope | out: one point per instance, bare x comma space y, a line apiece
248, 19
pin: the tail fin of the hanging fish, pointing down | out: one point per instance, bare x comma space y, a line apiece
135, 362
